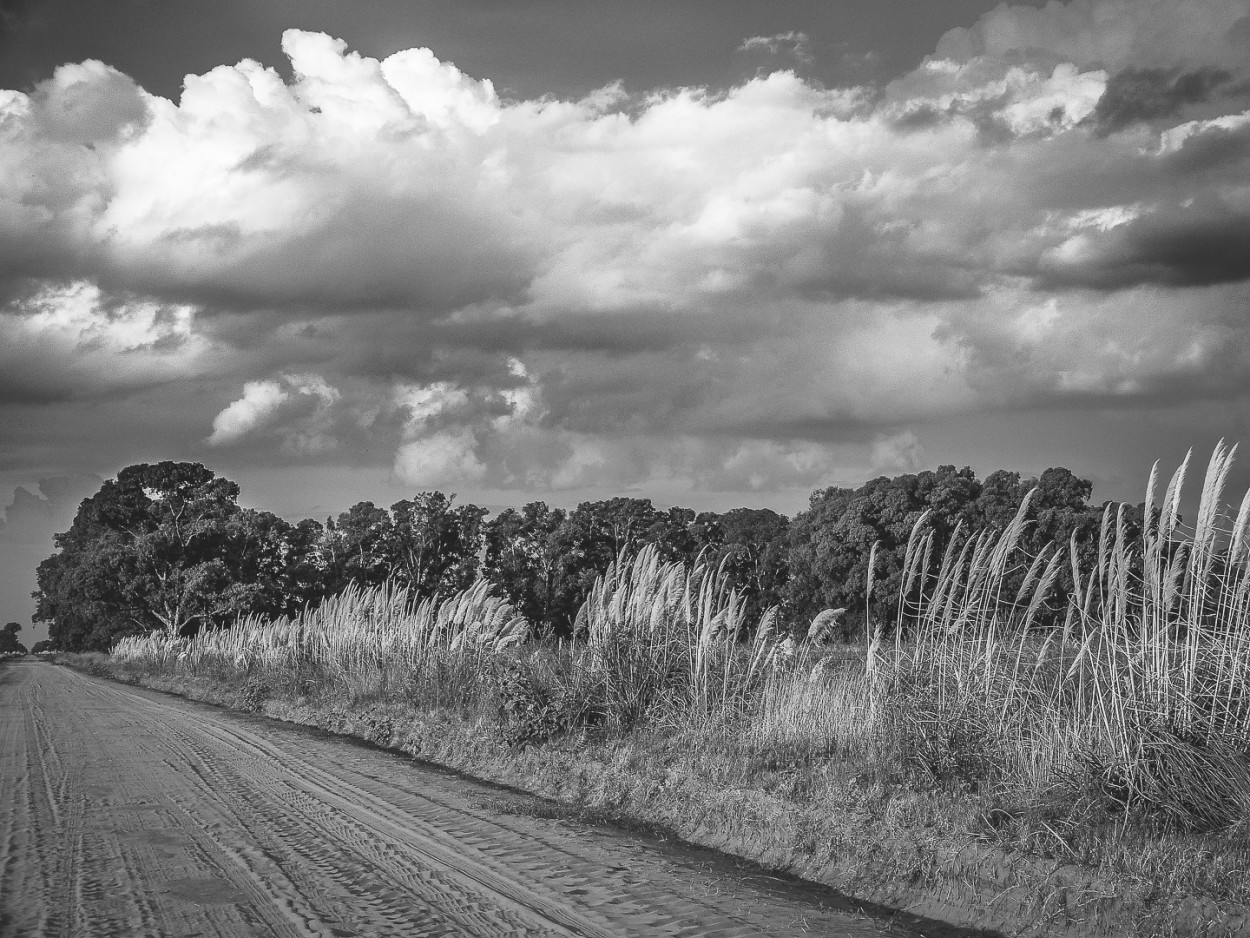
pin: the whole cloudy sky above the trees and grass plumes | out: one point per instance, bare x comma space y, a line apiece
713, 253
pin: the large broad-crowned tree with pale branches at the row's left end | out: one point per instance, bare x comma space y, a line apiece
162, 547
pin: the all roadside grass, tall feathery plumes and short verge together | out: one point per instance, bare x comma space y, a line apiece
996, 732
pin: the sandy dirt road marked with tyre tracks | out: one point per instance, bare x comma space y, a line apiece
131, 814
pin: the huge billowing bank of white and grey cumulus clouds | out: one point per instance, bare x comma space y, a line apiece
724, 288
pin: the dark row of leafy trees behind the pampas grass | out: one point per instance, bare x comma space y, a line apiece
168, 547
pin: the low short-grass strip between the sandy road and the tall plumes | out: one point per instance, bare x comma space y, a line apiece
879, 845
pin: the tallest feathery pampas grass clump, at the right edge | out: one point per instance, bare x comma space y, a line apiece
1139, 702
